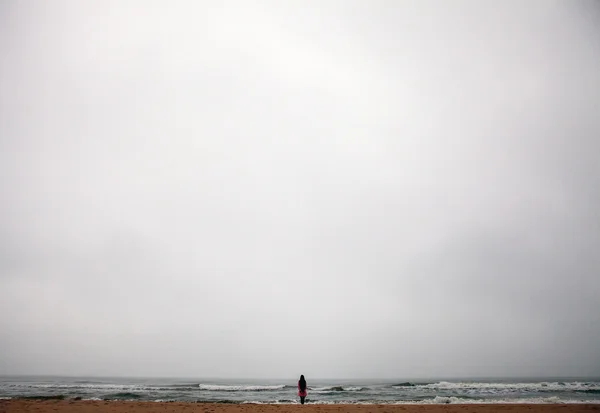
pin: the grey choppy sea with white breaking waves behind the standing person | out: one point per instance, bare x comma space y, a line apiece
284, 391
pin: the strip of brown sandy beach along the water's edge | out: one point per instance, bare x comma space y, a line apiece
71, 406
